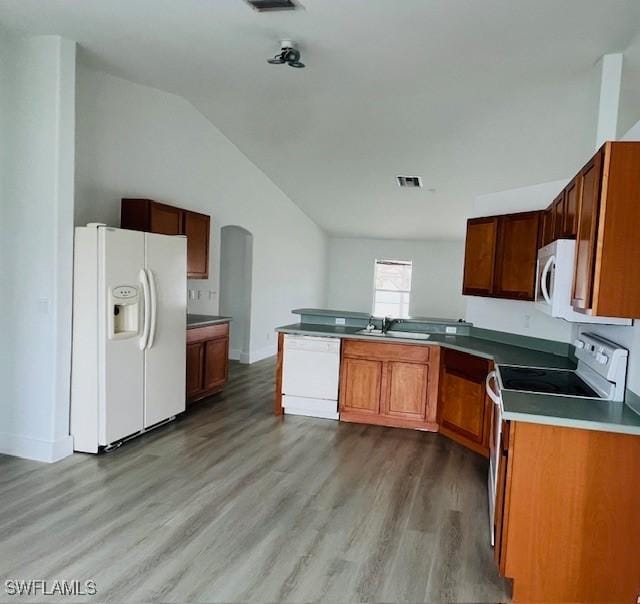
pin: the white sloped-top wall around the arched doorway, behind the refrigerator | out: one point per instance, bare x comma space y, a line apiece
138, 141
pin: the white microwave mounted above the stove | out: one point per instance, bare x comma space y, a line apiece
554, 284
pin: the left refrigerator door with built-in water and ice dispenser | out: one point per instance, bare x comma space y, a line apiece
120, 362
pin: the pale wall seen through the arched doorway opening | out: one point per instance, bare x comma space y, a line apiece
236, 260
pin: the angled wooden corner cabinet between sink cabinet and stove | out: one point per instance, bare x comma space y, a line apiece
465, 411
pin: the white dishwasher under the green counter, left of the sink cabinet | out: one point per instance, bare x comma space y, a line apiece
310, 374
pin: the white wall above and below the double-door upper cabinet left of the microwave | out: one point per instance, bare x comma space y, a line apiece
512, 315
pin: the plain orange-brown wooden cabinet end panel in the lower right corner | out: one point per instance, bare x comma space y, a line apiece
569, 514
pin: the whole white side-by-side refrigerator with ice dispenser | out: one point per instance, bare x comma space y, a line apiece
129, 325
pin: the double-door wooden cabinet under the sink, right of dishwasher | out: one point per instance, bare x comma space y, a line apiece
389, 384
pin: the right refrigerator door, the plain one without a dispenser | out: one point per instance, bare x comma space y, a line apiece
165, 354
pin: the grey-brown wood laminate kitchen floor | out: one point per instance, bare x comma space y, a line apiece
230, 503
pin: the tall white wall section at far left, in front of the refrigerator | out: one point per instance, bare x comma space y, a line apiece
38, 113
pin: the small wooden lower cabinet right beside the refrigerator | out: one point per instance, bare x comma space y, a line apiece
207, 360
